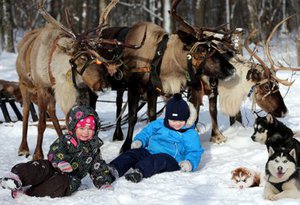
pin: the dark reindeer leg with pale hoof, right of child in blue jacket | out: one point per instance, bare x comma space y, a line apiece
216, 135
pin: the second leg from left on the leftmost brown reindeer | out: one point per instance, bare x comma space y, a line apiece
42, 104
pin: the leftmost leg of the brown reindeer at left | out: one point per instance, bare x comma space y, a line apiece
23, 148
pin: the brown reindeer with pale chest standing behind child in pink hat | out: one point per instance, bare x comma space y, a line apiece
44, 70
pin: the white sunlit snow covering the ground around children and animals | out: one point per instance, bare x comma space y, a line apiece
209, 185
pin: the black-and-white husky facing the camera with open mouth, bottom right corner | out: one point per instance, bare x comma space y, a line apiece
282, 176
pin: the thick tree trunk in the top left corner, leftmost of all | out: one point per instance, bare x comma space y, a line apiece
8, 27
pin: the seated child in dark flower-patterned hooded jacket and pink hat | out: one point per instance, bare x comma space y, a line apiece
71, 157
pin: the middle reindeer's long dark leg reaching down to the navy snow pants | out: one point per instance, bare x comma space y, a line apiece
133, 101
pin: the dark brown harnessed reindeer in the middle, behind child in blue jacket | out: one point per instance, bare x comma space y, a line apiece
167, 63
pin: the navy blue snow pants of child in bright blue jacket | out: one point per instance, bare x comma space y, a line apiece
148, 164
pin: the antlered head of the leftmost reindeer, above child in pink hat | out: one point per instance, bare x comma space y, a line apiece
84, 49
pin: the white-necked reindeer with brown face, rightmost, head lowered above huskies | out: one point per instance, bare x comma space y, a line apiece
257, 81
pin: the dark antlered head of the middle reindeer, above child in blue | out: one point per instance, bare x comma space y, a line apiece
209, 48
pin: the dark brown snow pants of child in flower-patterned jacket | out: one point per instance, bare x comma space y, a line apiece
43, 178
